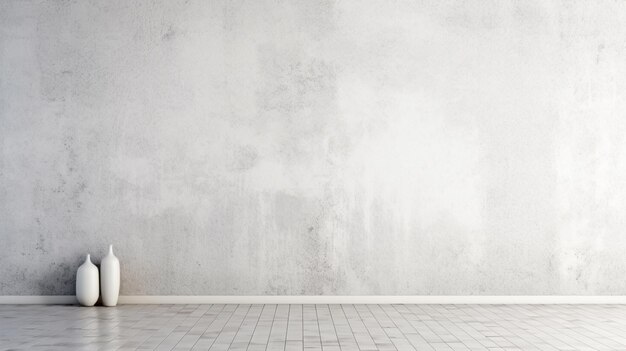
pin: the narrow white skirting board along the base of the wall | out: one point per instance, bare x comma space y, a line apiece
437, 300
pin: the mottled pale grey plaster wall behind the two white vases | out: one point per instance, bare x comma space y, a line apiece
315, 147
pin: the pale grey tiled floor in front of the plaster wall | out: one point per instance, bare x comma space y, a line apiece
314, 327
